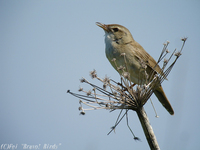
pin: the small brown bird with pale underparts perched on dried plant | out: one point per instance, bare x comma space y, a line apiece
118, 41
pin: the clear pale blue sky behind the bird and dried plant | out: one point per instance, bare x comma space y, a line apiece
47, 46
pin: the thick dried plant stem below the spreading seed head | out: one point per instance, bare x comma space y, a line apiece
148, 130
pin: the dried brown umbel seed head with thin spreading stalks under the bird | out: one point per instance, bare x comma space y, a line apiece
112, 95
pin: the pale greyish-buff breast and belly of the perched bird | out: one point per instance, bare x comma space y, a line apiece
129, 61
